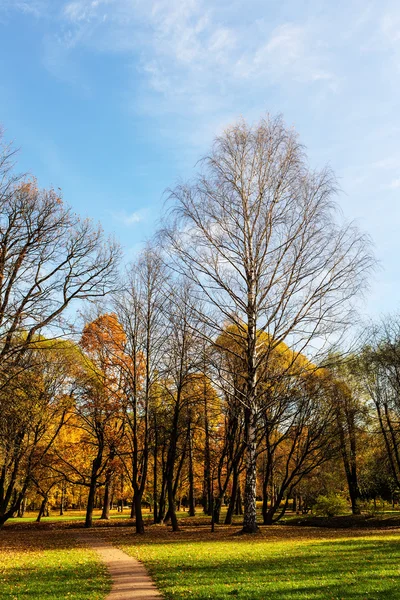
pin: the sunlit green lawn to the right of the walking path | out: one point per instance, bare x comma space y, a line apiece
256, 569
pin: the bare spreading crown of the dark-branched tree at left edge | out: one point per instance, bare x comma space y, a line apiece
49, 257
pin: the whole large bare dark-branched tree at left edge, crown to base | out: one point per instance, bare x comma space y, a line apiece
49, 258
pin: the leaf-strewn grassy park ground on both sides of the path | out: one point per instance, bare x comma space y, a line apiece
290, 560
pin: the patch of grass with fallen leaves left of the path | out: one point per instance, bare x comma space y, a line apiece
49, 568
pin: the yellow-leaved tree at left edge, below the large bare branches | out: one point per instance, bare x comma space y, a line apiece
35, 406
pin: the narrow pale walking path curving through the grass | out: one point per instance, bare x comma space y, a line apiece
130, 578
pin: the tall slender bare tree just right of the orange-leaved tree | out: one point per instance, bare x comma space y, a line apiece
139, 308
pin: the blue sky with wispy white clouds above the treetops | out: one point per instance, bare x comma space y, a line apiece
115, 100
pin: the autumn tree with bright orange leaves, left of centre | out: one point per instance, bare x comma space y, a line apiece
95, 428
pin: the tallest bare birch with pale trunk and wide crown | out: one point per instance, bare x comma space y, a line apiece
256, 233
